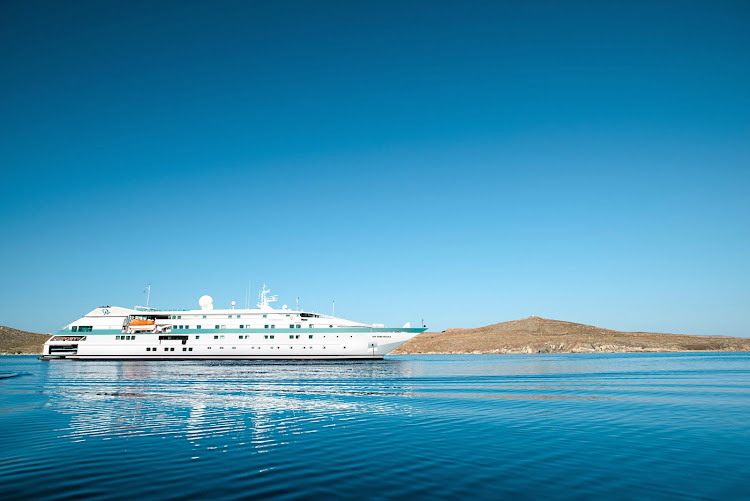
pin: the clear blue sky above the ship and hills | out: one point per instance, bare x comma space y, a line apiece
462, 162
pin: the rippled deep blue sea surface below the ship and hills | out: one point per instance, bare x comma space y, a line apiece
617, 426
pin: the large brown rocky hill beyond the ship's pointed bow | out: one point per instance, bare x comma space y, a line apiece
542, 335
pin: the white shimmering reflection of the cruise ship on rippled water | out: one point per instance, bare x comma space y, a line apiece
258, 404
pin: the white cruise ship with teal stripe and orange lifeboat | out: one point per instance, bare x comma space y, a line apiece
115, 333
